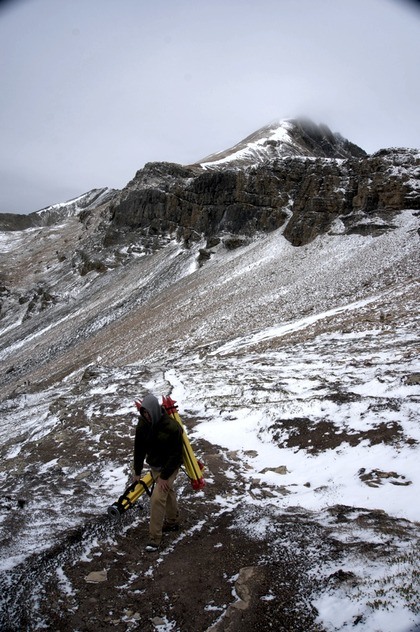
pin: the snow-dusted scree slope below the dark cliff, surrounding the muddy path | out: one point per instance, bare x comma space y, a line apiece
300, 365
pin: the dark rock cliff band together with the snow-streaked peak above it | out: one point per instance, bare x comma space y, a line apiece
314, 179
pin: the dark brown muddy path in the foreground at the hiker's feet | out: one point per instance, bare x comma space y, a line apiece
210, 575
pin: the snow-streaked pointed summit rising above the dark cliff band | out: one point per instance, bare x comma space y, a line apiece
290, 137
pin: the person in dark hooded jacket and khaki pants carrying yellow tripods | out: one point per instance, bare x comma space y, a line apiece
159, 441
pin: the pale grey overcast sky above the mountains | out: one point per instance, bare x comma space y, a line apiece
91, 90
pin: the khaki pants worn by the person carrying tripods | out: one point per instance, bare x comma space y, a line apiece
163, 507
